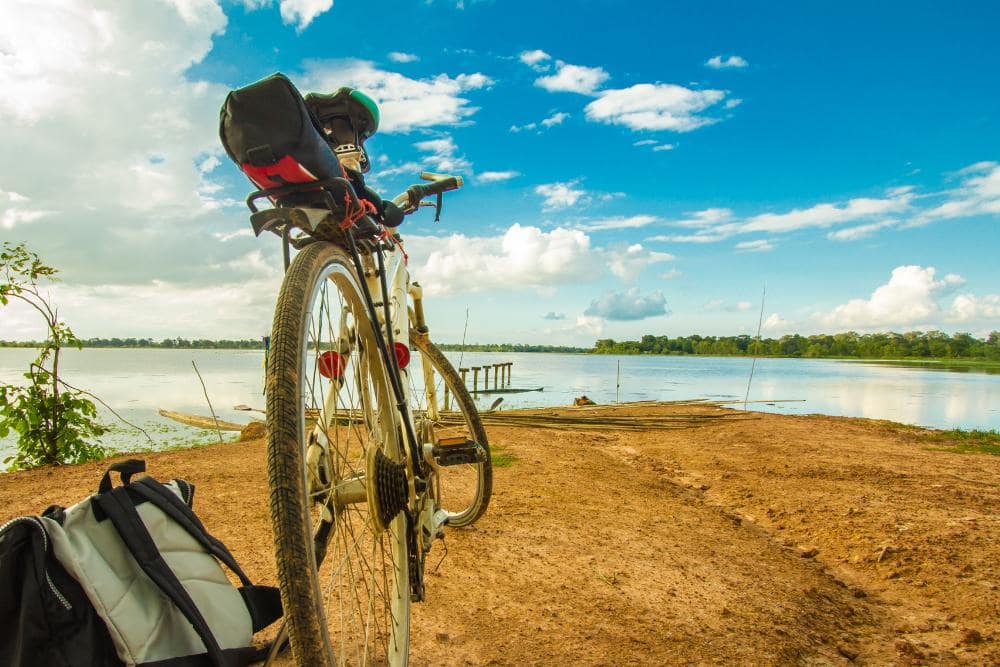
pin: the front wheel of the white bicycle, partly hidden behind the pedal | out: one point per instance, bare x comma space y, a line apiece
445, 408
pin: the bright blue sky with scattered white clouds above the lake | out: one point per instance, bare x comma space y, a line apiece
632, 167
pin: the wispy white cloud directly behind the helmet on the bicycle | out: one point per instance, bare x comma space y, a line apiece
405, 103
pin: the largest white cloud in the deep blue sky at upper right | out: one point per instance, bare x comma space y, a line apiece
659, 106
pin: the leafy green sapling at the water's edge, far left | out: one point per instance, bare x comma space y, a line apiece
55, 424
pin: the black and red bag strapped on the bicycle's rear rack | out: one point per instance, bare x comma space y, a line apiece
268, 131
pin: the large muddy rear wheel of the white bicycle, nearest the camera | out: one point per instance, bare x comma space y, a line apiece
343, 574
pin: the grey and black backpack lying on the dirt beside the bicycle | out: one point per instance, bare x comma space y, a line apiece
128, 576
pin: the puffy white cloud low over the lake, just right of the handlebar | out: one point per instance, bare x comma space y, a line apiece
523, 256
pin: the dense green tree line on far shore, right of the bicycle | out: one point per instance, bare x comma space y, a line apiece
913, 344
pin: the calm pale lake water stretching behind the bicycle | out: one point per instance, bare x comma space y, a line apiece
138, 382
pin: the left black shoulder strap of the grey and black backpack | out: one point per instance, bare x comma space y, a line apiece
121, 510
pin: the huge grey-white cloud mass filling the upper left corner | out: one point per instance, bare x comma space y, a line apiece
111, 134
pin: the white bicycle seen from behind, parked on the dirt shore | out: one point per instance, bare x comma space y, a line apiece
368, 458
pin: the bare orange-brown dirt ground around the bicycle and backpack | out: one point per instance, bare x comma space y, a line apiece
768, 540
